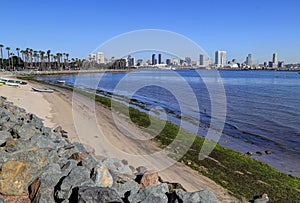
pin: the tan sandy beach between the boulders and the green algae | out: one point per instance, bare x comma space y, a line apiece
95, 126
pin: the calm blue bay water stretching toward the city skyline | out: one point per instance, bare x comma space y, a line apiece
263, 107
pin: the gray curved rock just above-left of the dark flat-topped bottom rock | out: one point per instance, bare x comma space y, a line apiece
79, 176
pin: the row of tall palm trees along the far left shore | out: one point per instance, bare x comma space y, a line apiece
38, 60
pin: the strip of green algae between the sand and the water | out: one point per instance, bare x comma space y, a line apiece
242, 176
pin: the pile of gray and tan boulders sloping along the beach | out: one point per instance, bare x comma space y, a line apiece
45, 165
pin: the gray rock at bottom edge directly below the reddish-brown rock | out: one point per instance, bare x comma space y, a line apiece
151, 194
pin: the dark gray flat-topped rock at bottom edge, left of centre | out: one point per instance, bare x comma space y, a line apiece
95, 194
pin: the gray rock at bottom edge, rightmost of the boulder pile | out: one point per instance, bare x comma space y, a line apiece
203, 196
